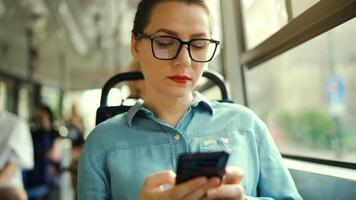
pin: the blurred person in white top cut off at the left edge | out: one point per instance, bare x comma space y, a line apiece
16, 153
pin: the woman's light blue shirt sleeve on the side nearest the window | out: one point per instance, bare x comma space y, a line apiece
275, 180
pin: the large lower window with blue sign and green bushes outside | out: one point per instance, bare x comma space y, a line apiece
307, 96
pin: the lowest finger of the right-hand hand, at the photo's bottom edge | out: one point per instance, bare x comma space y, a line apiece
234, 191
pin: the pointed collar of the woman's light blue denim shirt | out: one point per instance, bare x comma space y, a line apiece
199, 102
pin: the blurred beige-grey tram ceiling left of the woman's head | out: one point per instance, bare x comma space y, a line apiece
66, 40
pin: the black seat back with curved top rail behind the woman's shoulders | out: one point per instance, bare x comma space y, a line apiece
105, 112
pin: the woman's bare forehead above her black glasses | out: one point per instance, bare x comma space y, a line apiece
183, 18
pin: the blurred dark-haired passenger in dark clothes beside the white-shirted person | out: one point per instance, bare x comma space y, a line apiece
44, 178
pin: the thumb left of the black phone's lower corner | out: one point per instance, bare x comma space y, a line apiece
160, 178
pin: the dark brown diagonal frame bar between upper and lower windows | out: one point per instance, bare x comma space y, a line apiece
321, 17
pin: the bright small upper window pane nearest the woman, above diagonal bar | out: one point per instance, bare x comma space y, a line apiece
261, 19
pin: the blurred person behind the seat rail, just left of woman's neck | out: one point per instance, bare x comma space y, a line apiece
137, 87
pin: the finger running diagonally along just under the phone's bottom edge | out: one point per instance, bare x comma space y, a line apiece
184, 189
